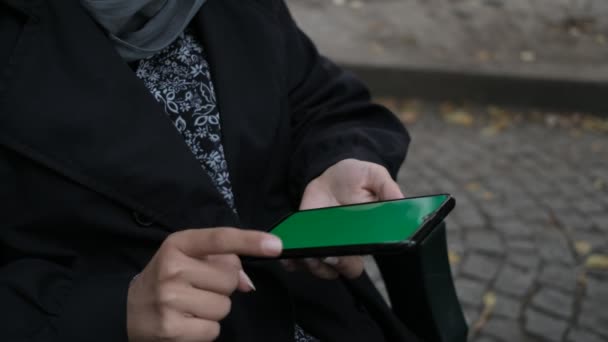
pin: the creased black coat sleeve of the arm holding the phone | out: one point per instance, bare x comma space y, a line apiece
332, 116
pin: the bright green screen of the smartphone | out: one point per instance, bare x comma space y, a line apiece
370, 223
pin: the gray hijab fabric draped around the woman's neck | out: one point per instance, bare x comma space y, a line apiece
141, 28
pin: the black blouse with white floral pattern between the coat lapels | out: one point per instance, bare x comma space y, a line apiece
178, 77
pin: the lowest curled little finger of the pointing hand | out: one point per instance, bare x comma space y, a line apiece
177, 327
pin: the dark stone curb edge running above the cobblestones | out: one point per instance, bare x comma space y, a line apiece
550, 94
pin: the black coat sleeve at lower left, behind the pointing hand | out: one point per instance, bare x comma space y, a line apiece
44, 301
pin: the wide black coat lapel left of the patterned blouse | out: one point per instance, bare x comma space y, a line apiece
74, 106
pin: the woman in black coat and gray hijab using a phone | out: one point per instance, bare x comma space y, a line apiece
115, 152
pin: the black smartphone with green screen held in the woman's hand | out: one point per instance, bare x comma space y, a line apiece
359, 229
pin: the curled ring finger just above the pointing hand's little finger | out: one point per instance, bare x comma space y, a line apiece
194, 302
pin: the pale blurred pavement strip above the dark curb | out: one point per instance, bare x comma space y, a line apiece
542, 38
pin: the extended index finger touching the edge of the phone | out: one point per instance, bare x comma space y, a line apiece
200, 243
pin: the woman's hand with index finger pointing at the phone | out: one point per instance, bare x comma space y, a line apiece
183, 293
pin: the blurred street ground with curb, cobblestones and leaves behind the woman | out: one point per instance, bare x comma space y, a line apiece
507, 104
